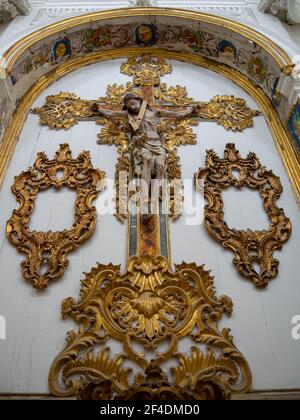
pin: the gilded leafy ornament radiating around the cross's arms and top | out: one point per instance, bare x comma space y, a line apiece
65, 109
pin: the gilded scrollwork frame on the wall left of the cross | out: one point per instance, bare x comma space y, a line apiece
49, 250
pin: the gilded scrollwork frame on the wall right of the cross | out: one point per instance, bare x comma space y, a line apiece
249, 246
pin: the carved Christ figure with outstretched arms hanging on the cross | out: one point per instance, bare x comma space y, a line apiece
148, 150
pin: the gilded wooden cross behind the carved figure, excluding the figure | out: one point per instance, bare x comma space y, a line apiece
147, 233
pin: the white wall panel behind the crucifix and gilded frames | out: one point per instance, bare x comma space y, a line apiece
261, 322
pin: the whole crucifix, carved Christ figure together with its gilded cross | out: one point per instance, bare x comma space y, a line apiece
147, 120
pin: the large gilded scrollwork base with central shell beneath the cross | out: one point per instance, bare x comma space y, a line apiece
149, 305
